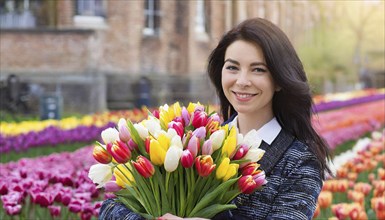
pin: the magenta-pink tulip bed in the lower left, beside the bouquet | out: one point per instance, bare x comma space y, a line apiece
55, 182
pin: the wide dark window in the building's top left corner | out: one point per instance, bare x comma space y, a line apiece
18, 13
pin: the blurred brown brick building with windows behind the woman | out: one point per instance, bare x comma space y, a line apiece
93, 52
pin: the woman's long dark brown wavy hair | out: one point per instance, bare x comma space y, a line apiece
292, 105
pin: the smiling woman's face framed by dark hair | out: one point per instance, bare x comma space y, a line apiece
246, 79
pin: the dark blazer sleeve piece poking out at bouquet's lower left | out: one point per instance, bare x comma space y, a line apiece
113, 210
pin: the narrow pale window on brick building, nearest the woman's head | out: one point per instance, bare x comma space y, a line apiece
202, 19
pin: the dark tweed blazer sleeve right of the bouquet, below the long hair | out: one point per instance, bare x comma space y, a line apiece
298, 194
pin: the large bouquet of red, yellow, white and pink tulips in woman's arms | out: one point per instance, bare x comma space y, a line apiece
180, 161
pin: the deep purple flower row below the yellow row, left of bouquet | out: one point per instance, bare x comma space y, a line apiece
51, 136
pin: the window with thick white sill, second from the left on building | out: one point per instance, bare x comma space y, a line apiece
90, 13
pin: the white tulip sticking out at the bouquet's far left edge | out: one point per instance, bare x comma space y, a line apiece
100, 174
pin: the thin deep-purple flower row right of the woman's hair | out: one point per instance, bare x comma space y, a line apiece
325, 106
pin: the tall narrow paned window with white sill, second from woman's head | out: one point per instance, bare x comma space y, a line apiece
152, 17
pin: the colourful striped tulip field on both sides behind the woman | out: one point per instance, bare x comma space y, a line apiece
44, 164
